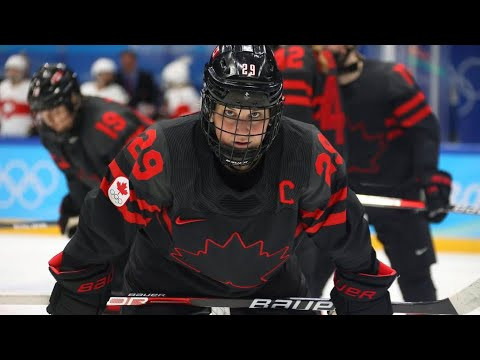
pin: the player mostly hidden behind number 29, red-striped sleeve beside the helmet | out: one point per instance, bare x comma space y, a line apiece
312, 96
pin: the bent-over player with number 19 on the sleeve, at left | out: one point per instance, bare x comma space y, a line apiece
83, 135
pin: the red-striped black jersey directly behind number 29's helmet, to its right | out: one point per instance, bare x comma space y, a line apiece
311, 93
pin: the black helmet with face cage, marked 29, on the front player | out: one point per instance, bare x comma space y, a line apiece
245, 77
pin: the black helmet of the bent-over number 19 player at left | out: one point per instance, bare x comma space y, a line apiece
51, 86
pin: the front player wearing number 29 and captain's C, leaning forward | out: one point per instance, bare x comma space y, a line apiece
215, 203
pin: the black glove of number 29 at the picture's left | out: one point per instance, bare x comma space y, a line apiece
79, 292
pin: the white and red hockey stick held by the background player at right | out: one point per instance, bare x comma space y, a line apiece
396, 203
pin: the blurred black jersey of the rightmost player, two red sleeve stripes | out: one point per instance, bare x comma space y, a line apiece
393, 135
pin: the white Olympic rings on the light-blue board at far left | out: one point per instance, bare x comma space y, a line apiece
20, 181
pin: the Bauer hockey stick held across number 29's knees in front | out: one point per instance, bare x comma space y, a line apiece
461, 303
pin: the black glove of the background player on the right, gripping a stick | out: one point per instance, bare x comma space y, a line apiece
437, 192
